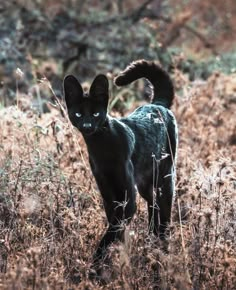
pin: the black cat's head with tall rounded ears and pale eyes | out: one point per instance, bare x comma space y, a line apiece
87, 111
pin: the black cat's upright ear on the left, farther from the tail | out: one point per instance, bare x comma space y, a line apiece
72, 90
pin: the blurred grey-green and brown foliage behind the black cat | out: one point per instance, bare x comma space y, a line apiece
46, 39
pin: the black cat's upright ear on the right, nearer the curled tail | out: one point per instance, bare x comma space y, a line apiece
99, 89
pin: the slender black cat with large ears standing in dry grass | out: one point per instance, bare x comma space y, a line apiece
138, 150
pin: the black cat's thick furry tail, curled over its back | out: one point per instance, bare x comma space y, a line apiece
163, 88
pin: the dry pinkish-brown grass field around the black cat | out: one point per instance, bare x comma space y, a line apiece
51, 215
